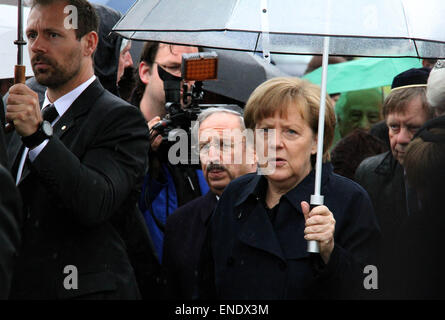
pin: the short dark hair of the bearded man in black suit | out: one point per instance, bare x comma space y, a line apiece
87, 17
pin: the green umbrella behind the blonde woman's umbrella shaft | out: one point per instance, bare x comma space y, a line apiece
362, 73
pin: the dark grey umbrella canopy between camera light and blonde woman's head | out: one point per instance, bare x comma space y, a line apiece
239, 73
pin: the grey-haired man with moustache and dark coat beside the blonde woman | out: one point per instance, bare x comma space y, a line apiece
186, 228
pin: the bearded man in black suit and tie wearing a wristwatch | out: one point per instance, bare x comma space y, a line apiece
81, 170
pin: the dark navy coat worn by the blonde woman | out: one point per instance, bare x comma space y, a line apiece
246, 256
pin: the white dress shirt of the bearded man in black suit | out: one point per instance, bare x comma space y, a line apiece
62, 104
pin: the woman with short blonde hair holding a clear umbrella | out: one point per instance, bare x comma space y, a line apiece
257, 242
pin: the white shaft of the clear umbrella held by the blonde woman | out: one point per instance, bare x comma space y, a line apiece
316, 198
